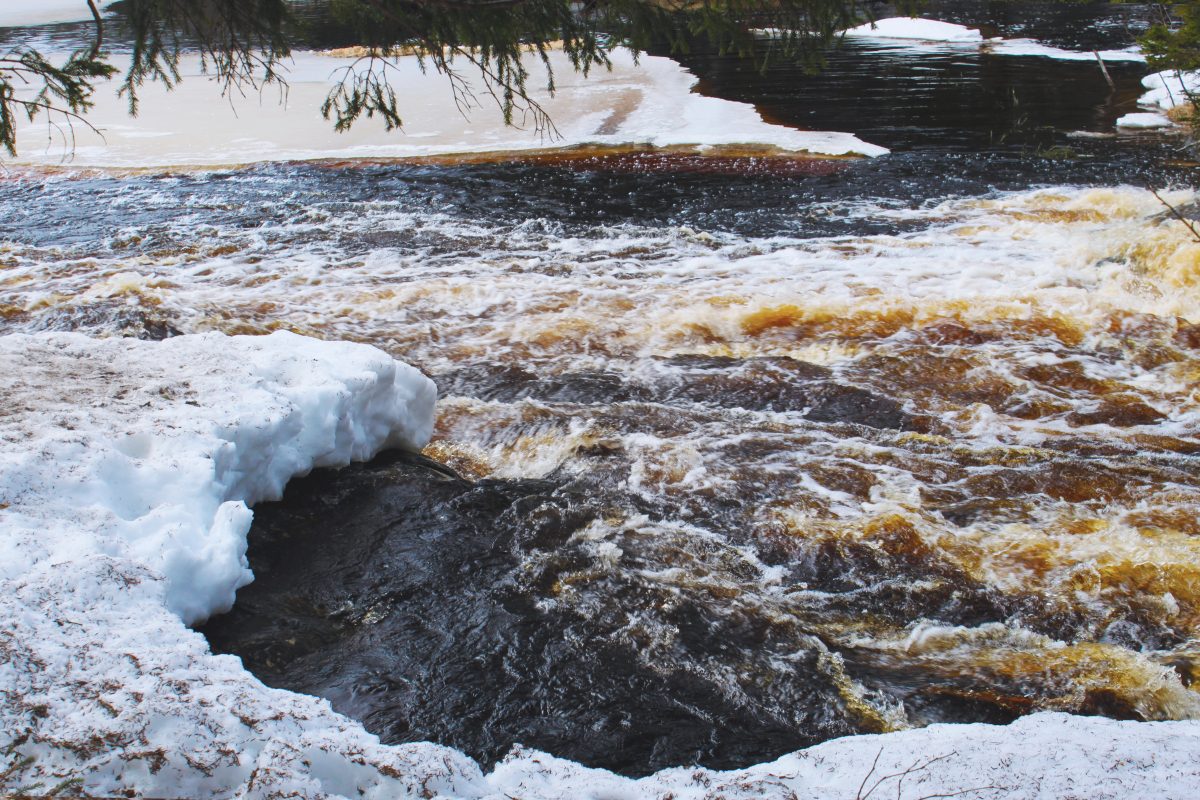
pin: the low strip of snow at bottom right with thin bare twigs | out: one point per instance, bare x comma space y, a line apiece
1042, 756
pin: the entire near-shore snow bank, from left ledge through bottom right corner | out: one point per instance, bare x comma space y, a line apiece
125, 472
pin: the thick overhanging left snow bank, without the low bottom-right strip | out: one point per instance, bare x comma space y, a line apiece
125, 474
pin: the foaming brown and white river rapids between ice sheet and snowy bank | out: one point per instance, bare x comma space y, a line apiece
734, 455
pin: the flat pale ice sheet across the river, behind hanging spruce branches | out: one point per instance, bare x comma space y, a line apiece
649, 103
